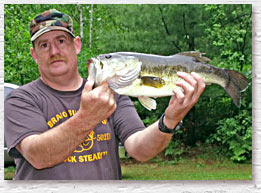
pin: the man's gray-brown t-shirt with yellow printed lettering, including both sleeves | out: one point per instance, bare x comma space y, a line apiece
36, 108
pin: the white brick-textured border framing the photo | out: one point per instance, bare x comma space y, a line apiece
253, 186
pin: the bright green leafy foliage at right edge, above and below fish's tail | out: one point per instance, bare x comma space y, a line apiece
229, 29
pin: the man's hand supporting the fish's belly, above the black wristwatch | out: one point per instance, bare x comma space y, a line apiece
181, 103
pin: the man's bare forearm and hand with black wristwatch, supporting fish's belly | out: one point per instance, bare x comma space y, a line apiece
144, 145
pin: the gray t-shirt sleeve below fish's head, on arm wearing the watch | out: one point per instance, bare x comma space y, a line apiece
126, 119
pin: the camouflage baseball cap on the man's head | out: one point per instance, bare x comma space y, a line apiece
50, 20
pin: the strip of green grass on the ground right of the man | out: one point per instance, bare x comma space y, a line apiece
187, 169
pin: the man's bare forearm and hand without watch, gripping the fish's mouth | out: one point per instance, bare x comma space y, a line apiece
55, 145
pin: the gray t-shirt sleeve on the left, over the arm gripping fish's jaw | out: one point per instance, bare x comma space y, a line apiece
22, 118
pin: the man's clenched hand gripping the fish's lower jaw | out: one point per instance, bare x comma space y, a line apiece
96, 104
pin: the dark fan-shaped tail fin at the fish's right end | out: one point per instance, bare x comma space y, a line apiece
235, 85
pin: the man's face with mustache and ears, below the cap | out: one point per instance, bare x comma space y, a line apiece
56, 52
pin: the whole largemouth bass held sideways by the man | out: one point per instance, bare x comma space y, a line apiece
148, 76
